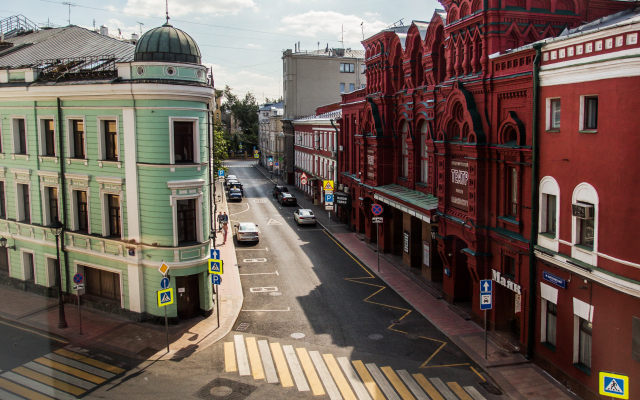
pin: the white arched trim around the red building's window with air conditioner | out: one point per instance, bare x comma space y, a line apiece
586, 193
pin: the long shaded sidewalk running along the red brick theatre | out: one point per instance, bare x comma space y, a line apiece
517, 377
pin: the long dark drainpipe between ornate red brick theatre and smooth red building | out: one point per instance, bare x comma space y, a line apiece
534, 204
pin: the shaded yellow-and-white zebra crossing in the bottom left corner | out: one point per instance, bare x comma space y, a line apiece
61, 375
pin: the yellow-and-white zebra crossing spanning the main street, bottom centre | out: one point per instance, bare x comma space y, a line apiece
337, 377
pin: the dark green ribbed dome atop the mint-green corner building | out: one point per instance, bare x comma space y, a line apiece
167, 43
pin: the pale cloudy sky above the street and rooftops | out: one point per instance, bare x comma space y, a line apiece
240, 40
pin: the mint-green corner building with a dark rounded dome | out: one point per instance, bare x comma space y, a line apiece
111, 139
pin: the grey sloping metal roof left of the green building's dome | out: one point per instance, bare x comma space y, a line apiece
67, 42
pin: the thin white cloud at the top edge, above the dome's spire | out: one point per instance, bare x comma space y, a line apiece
189, 7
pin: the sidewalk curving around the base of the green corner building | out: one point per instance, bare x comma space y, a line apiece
122, 336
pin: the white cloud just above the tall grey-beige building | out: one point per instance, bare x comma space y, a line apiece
327, 24
